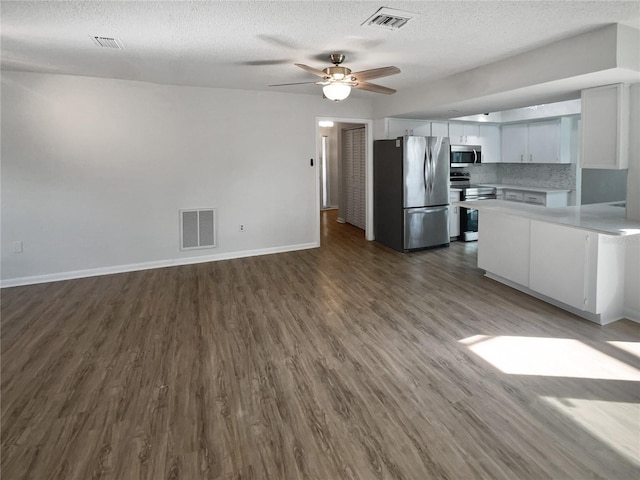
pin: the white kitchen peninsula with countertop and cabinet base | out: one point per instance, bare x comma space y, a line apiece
583, 259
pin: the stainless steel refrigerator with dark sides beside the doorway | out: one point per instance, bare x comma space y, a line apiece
411, 192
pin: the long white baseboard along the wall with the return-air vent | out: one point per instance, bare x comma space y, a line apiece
94, 272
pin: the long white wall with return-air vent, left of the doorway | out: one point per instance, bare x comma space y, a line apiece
94, 172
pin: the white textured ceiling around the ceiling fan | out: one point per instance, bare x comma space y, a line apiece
251, 44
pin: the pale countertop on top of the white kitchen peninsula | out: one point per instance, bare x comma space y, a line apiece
599, 217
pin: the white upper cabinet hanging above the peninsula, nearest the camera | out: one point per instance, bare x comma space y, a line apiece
605, 127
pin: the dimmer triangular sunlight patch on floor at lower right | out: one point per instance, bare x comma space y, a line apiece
617, 424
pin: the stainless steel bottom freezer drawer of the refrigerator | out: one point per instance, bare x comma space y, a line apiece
426, 227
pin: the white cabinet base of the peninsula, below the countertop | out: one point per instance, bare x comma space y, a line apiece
576, 269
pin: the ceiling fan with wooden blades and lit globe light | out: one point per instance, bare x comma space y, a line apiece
337, 81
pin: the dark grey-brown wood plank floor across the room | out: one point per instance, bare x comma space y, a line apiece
350, 361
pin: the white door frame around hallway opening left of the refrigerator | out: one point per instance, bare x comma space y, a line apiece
368, 131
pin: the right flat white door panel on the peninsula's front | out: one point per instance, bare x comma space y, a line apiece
559, 256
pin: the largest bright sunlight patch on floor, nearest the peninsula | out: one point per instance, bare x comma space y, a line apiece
553, 357
